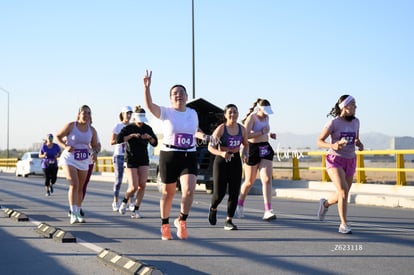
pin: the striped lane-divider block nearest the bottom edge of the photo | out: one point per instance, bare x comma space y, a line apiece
125, 264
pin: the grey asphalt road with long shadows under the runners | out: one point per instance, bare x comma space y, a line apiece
296, 243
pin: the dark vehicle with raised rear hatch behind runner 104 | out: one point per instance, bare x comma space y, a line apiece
209, 116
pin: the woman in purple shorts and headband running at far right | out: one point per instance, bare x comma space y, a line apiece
341, 159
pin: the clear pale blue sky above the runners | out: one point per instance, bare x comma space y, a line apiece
300, 55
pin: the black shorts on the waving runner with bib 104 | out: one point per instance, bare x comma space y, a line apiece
173, 164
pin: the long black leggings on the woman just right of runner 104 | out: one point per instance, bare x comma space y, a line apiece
227, 174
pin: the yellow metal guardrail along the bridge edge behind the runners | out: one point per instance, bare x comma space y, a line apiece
105, 164
